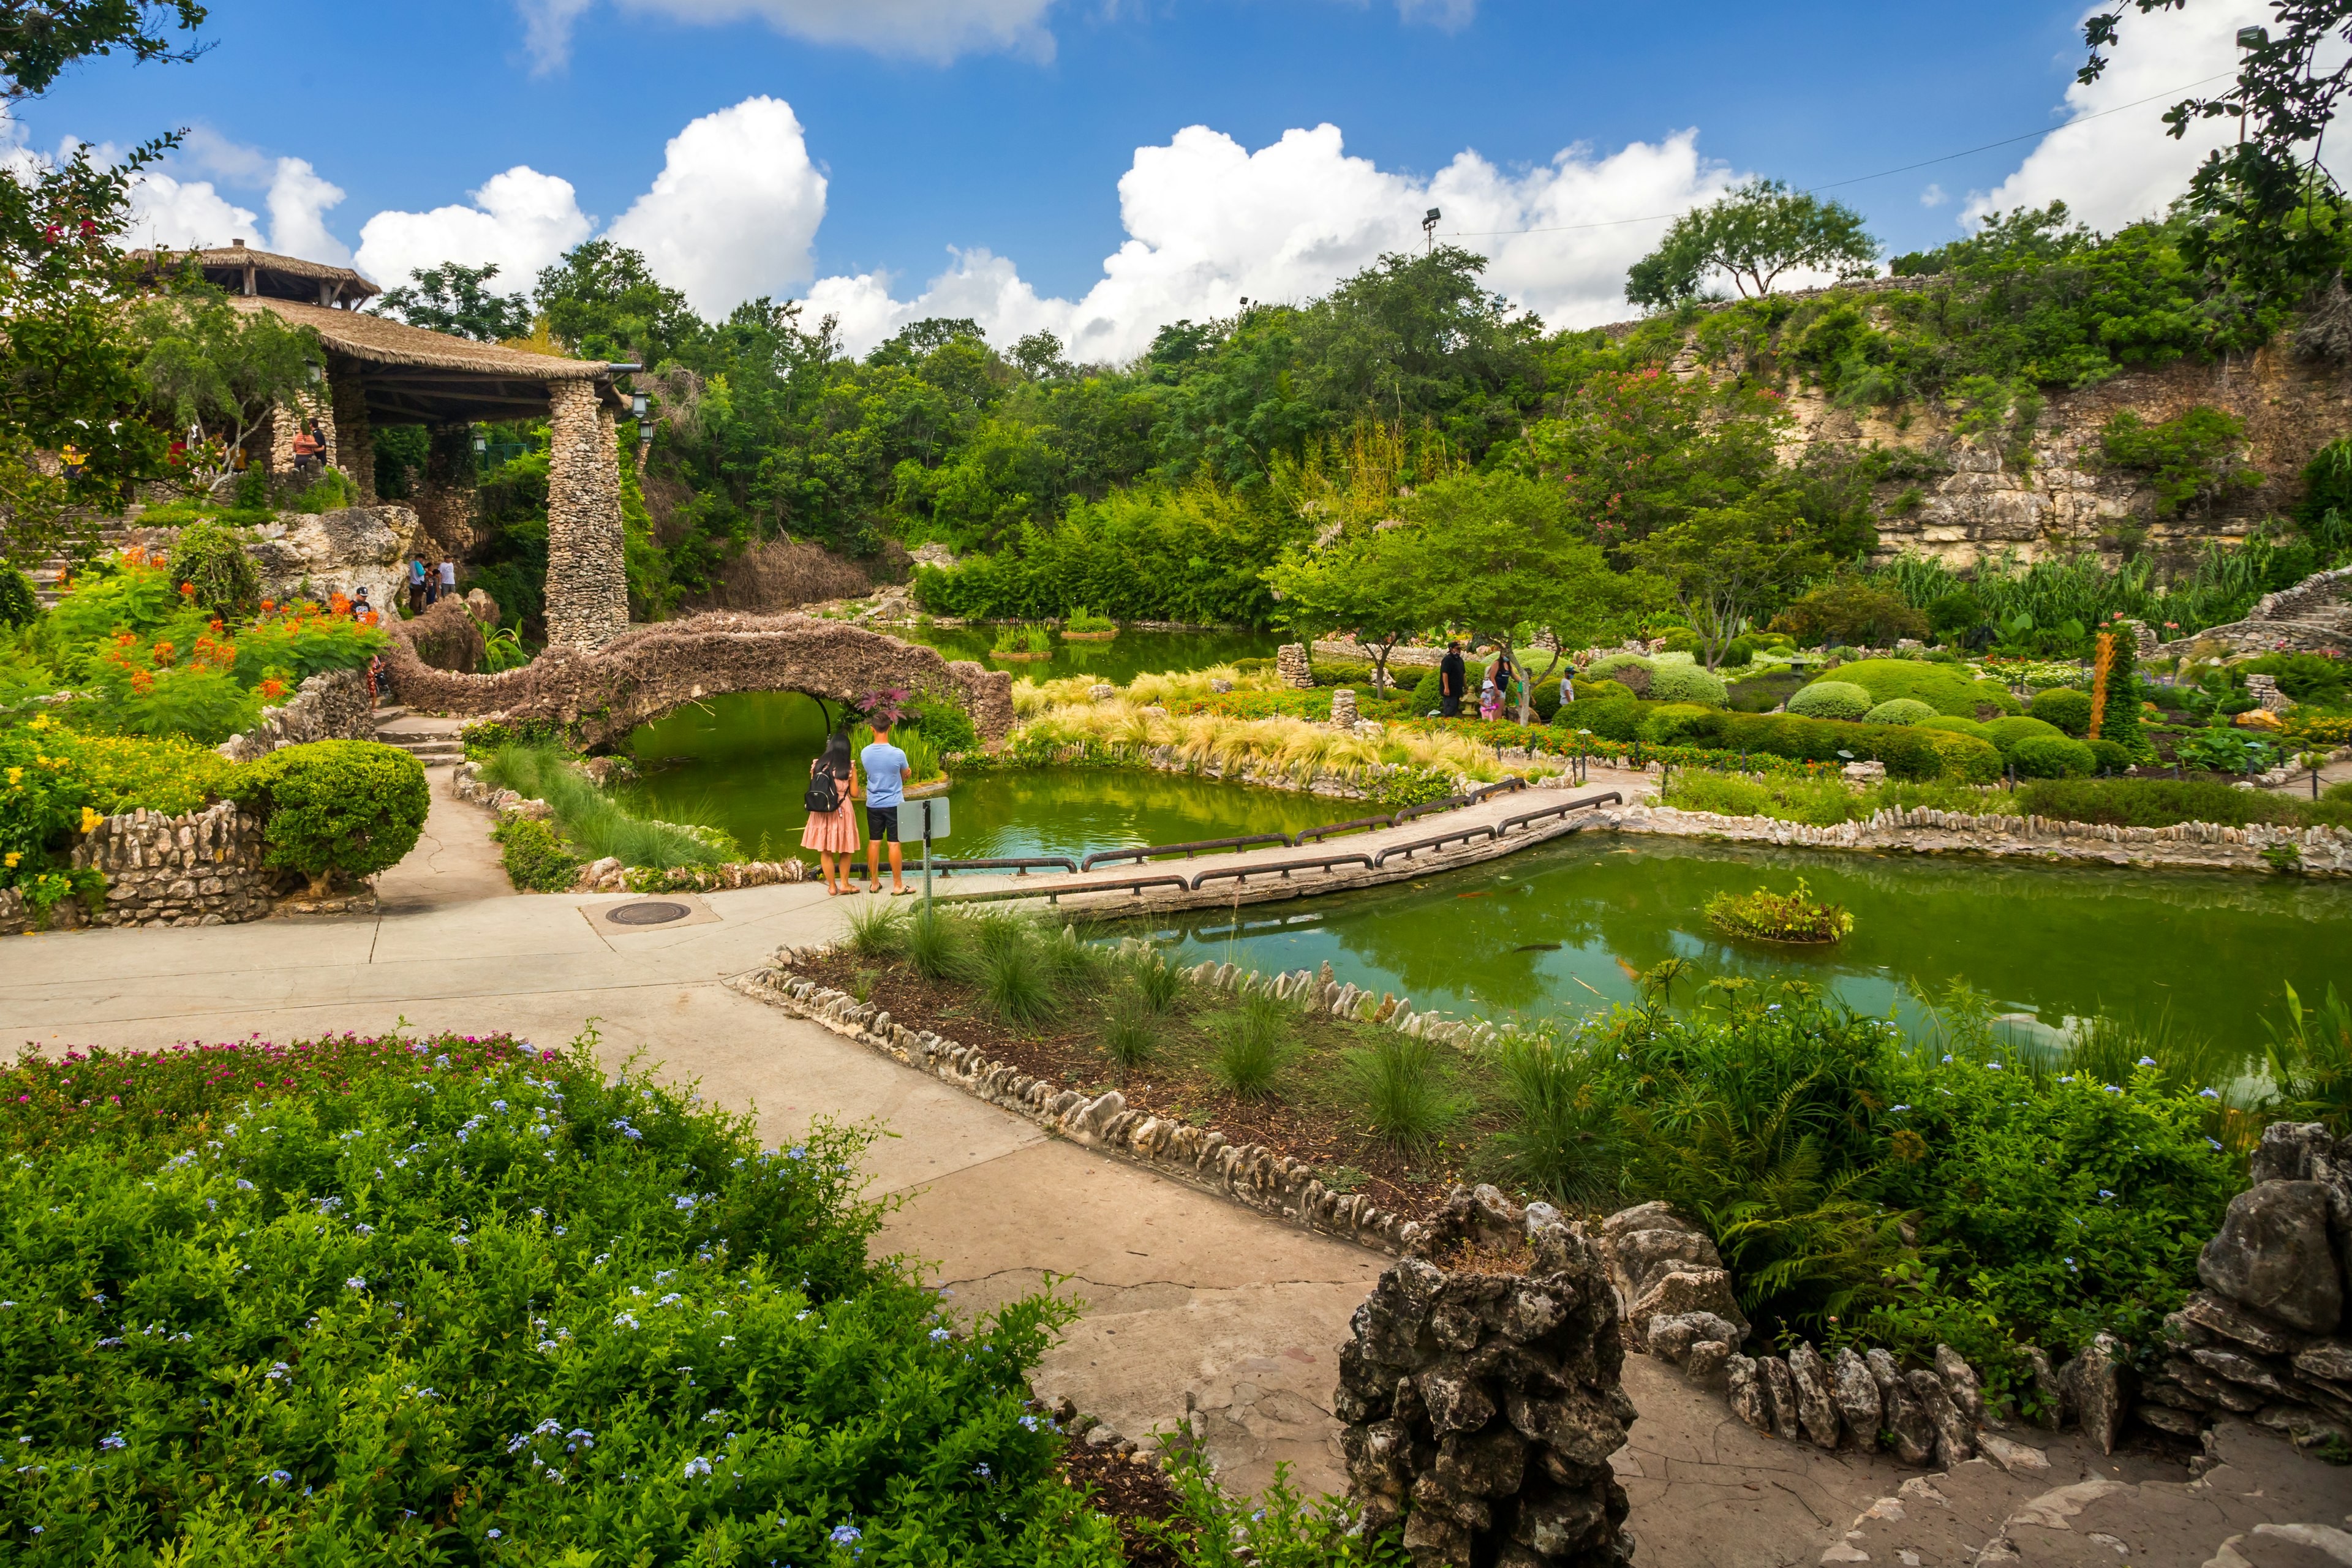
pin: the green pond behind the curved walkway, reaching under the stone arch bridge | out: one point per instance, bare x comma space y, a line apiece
742, 763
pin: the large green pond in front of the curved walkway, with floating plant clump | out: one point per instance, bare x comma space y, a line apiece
1565, 930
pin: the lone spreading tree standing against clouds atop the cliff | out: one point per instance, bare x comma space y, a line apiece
1753, 234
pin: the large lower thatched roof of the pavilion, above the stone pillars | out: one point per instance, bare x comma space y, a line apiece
432, 377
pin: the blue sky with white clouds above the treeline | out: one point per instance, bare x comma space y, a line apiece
1005, 128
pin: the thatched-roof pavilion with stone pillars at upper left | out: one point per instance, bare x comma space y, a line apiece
382, 373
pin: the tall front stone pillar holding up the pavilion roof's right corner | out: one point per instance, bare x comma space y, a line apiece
587, 572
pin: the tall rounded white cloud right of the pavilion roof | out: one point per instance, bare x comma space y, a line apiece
735, 210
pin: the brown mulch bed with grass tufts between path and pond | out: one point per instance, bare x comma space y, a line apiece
1314, 1115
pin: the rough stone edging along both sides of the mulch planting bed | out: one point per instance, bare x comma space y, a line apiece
1250, 1174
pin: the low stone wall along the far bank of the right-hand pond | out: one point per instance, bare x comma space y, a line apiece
2325, 852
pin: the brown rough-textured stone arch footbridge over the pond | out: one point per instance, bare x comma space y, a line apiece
653, 669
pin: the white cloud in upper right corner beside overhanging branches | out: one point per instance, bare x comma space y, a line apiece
2123, 166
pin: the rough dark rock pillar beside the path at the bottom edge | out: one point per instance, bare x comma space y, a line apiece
1483, 1405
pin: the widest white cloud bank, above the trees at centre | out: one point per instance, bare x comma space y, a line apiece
1212, 225
